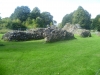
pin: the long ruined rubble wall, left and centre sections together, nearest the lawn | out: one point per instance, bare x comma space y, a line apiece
49, 34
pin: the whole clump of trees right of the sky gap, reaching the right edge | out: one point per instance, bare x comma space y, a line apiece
83, 18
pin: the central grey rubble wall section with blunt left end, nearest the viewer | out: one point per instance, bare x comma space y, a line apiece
52, 35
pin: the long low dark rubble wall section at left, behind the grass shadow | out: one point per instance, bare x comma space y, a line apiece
23, 35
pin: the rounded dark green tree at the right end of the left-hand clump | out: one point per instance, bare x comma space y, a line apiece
47, 18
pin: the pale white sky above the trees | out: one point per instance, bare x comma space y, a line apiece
57, 8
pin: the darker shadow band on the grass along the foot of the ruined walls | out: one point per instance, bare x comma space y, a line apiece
29, 45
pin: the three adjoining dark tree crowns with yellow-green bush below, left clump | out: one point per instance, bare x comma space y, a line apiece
35, 17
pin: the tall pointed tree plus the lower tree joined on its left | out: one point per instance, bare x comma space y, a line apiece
80, 16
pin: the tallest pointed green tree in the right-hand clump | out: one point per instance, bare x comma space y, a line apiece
82, 17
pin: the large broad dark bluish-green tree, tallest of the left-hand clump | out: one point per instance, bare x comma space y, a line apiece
21, 13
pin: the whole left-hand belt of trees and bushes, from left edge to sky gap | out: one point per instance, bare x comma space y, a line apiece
23, 18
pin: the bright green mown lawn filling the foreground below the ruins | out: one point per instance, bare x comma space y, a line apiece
80, 56
